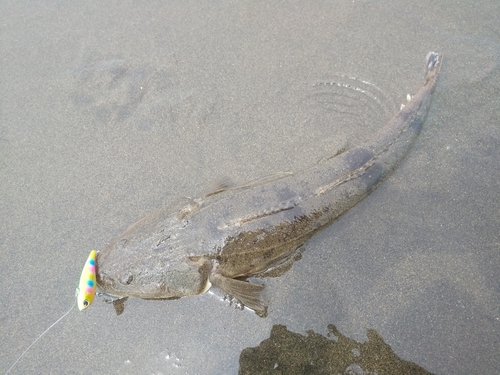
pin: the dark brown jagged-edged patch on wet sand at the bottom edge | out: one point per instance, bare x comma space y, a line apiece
290, 353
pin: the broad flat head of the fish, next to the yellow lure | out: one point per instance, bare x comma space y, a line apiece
147, 261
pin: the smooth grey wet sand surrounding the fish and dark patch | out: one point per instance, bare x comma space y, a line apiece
109, 111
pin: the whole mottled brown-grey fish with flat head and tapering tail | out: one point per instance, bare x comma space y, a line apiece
248, 230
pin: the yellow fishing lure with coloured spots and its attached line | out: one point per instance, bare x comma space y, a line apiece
84, 296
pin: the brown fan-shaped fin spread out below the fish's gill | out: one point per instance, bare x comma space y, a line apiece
246, 292
